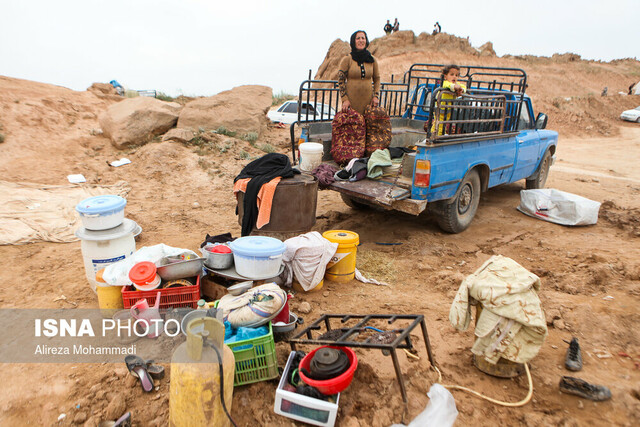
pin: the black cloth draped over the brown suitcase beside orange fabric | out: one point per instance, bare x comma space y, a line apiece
261, 171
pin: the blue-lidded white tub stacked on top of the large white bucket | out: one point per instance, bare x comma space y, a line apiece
101, 212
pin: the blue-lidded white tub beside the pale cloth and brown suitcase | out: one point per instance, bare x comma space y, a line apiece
257, 257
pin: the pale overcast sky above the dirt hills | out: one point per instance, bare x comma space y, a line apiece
201, 47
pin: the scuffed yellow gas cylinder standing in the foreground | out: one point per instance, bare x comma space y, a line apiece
194, 391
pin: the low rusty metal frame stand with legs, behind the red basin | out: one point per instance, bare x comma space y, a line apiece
346, 336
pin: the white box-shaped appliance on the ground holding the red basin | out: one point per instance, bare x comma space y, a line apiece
304, 408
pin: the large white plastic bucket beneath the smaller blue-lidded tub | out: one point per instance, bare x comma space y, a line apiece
104, 247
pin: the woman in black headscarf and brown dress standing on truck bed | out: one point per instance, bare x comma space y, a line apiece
359, 76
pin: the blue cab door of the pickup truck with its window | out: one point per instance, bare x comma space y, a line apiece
527, 144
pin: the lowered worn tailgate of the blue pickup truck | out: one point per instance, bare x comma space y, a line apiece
381, 193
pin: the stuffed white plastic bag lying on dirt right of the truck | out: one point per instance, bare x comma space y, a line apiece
559, 207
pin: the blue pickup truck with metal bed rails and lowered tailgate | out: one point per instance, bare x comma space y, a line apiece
489, 136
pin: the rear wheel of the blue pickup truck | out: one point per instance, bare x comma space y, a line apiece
456, 216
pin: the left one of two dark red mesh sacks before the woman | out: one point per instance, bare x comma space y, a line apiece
347, 136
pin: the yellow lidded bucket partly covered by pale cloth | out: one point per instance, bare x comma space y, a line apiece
342, 267
